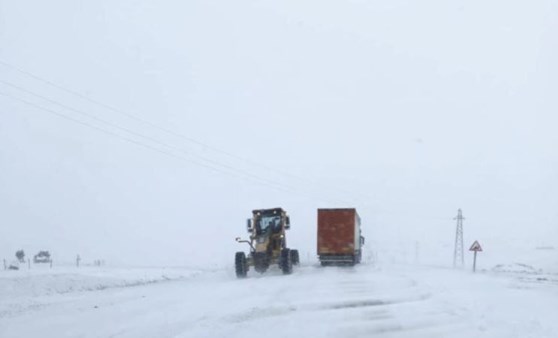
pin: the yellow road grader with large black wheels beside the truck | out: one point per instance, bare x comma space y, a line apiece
268, 243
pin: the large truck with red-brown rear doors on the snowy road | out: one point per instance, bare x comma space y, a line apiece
340, 240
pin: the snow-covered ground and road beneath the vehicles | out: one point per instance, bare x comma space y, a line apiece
364, 301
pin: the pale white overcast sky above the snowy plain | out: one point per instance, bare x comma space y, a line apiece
405, 110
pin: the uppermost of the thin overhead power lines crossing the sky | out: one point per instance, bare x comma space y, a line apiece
166, 130
